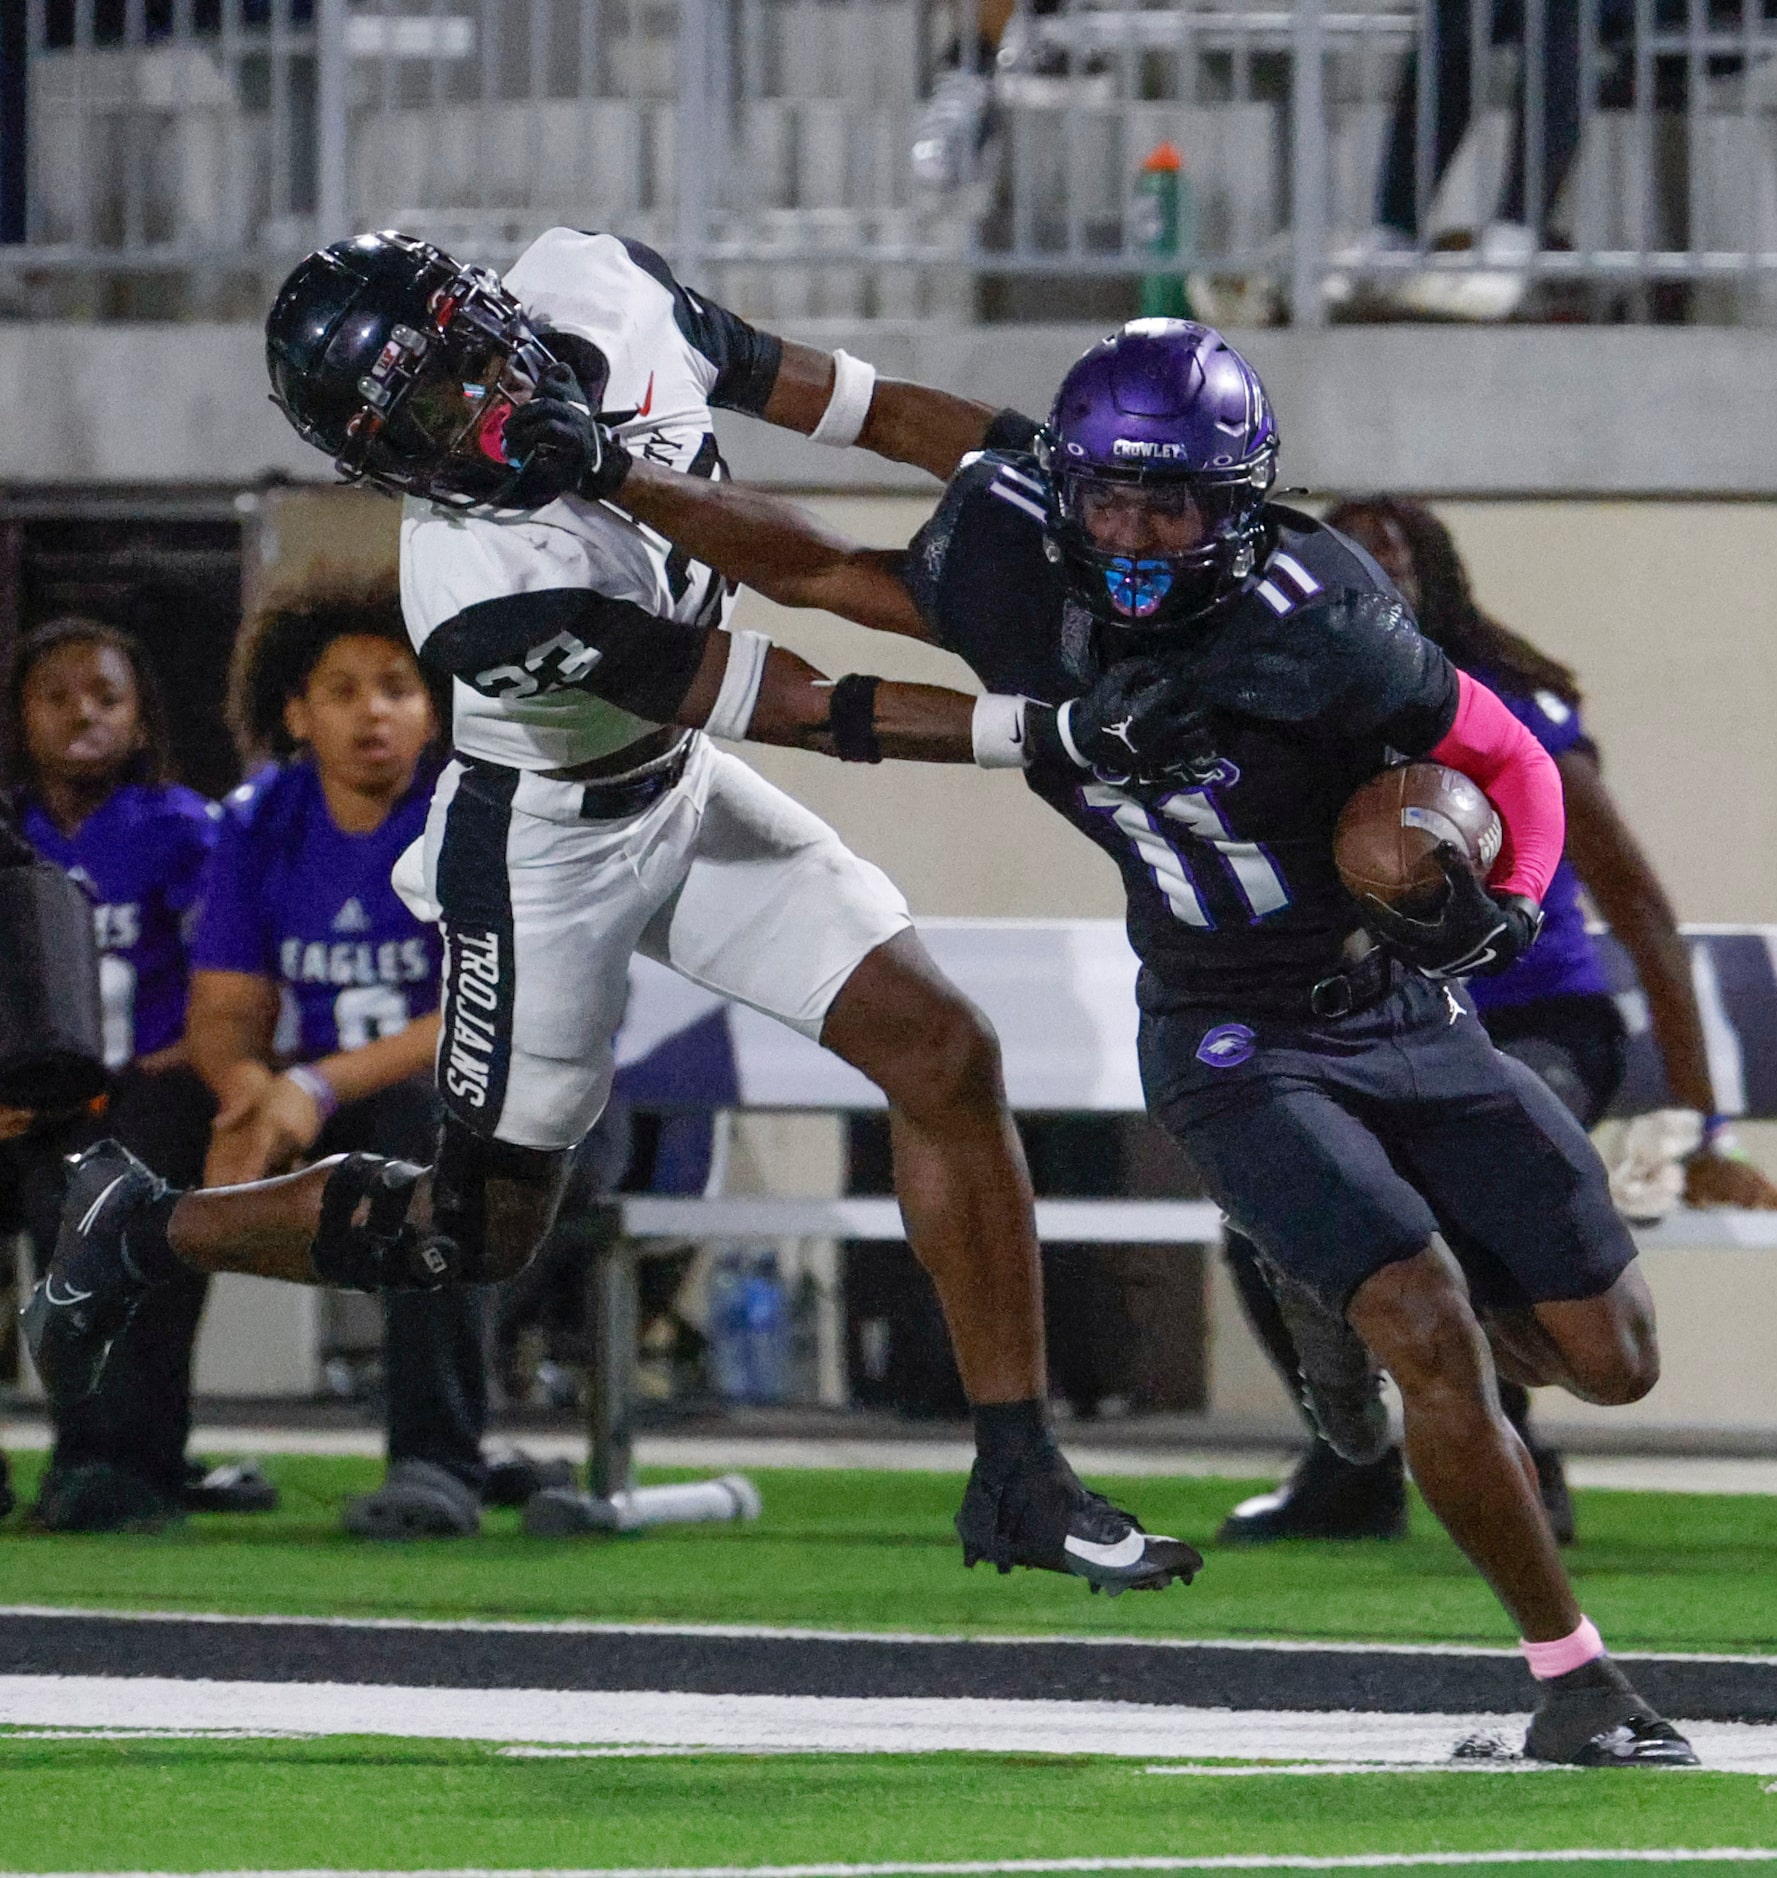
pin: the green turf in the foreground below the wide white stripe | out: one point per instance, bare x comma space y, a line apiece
348, 1804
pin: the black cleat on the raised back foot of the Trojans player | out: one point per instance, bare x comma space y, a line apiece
91, 1291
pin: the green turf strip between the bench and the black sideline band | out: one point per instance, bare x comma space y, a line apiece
848, 1550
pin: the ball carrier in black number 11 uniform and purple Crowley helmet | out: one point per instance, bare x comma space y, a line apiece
1423, 1203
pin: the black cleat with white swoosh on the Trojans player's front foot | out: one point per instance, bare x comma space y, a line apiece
1043, 1518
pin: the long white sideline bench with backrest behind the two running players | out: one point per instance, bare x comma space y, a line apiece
1062, 998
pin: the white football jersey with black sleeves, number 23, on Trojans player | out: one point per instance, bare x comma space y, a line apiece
672, 358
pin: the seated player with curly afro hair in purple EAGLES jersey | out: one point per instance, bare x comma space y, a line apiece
315, 993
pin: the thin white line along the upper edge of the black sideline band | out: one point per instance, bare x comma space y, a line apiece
788, 1635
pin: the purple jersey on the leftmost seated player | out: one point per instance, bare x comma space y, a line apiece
142, 859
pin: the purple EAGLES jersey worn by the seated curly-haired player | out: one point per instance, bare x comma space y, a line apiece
294, 899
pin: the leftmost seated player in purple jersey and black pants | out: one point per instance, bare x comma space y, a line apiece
91, 793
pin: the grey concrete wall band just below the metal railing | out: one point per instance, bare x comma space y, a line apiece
1549, 410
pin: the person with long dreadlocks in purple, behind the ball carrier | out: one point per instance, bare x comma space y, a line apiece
1553, 1009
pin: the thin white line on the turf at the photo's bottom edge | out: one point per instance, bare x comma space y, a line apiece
1231, 1862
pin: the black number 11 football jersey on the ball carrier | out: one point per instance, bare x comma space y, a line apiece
1314, 681
